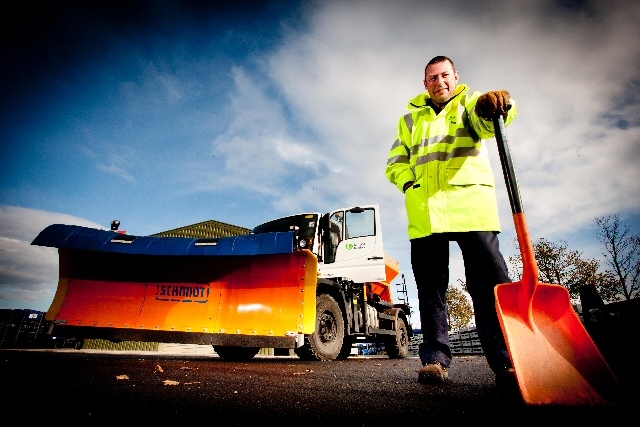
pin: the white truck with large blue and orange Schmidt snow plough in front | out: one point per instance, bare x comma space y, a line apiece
313, 282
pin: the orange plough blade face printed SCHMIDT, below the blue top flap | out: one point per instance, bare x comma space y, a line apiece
266, 295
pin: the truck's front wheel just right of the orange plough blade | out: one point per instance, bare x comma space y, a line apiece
326, 341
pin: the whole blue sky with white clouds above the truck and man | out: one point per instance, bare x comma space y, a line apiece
163, 114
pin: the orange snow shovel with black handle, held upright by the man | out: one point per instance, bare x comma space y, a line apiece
555, 360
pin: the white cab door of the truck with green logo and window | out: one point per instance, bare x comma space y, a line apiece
356, 245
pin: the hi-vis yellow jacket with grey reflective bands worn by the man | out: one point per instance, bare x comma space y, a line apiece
454, 188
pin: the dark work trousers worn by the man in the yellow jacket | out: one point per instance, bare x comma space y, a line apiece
484, 269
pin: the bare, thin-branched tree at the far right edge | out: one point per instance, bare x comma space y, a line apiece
622, 255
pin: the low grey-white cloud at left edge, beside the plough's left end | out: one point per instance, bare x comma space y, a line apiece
29, 274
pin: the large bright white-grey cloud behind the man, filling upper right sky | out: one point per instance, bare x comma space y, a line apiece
350, 73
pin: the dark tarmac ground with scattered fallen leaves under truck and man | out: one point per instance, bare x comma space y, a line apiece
180, 388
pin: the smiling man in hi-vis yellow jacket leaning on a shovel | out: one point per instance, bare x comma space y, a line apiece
441, 164
